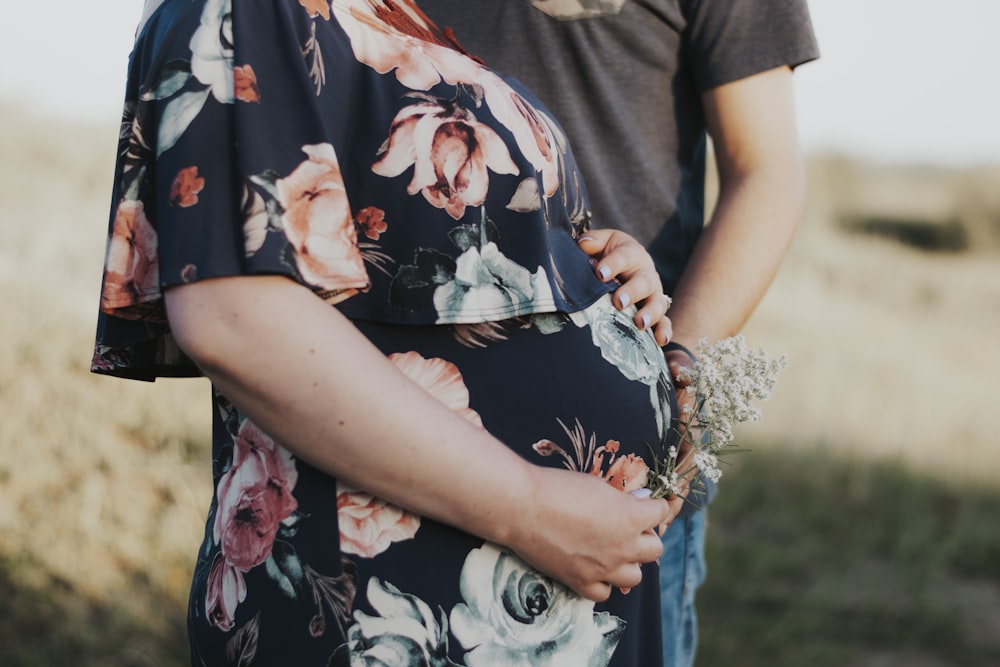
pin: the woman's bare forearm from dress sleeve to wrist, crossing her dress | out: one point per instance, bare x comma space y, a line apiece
307, 377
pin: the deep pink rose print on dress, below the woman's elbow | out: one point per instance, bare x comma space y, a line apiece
254, 497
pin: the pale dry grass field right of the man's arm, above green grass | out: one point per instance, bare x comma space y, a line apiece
892, 332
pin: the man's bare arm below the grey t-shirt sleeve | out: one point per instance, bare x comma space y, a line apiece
761, 193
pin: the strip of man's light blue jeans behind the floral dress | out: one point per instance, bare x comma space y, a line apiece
682, 570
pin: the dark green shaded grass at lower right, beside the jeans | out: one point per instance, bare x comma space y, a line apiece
814, 560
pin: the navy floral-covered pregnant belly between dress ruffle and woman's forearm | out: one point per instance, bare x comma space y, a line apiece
555, 388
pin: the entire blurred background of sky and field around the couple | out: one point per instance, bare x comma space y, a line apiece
863, 528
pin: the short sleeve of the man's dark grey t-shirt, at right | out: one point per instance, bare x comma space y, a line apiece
733, 39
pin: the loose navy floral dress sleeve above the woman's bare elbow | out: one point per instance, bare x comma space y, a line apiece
226, 167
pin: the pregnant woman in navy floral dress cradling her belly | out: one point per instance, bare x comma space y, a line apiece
430, 405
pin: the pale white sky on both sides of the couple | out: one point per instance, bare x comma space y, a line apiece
898, 81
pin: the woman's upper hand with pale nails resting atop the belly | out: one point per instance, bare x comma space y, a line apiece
616, 255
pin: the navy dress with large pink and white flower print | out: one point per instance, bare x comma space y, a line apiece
356, 149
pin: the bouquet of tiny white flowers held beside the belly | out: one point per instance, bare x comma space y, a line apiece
723, 381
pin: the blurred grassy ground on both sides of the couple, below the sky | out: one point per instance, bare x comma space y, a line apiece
861, 532
